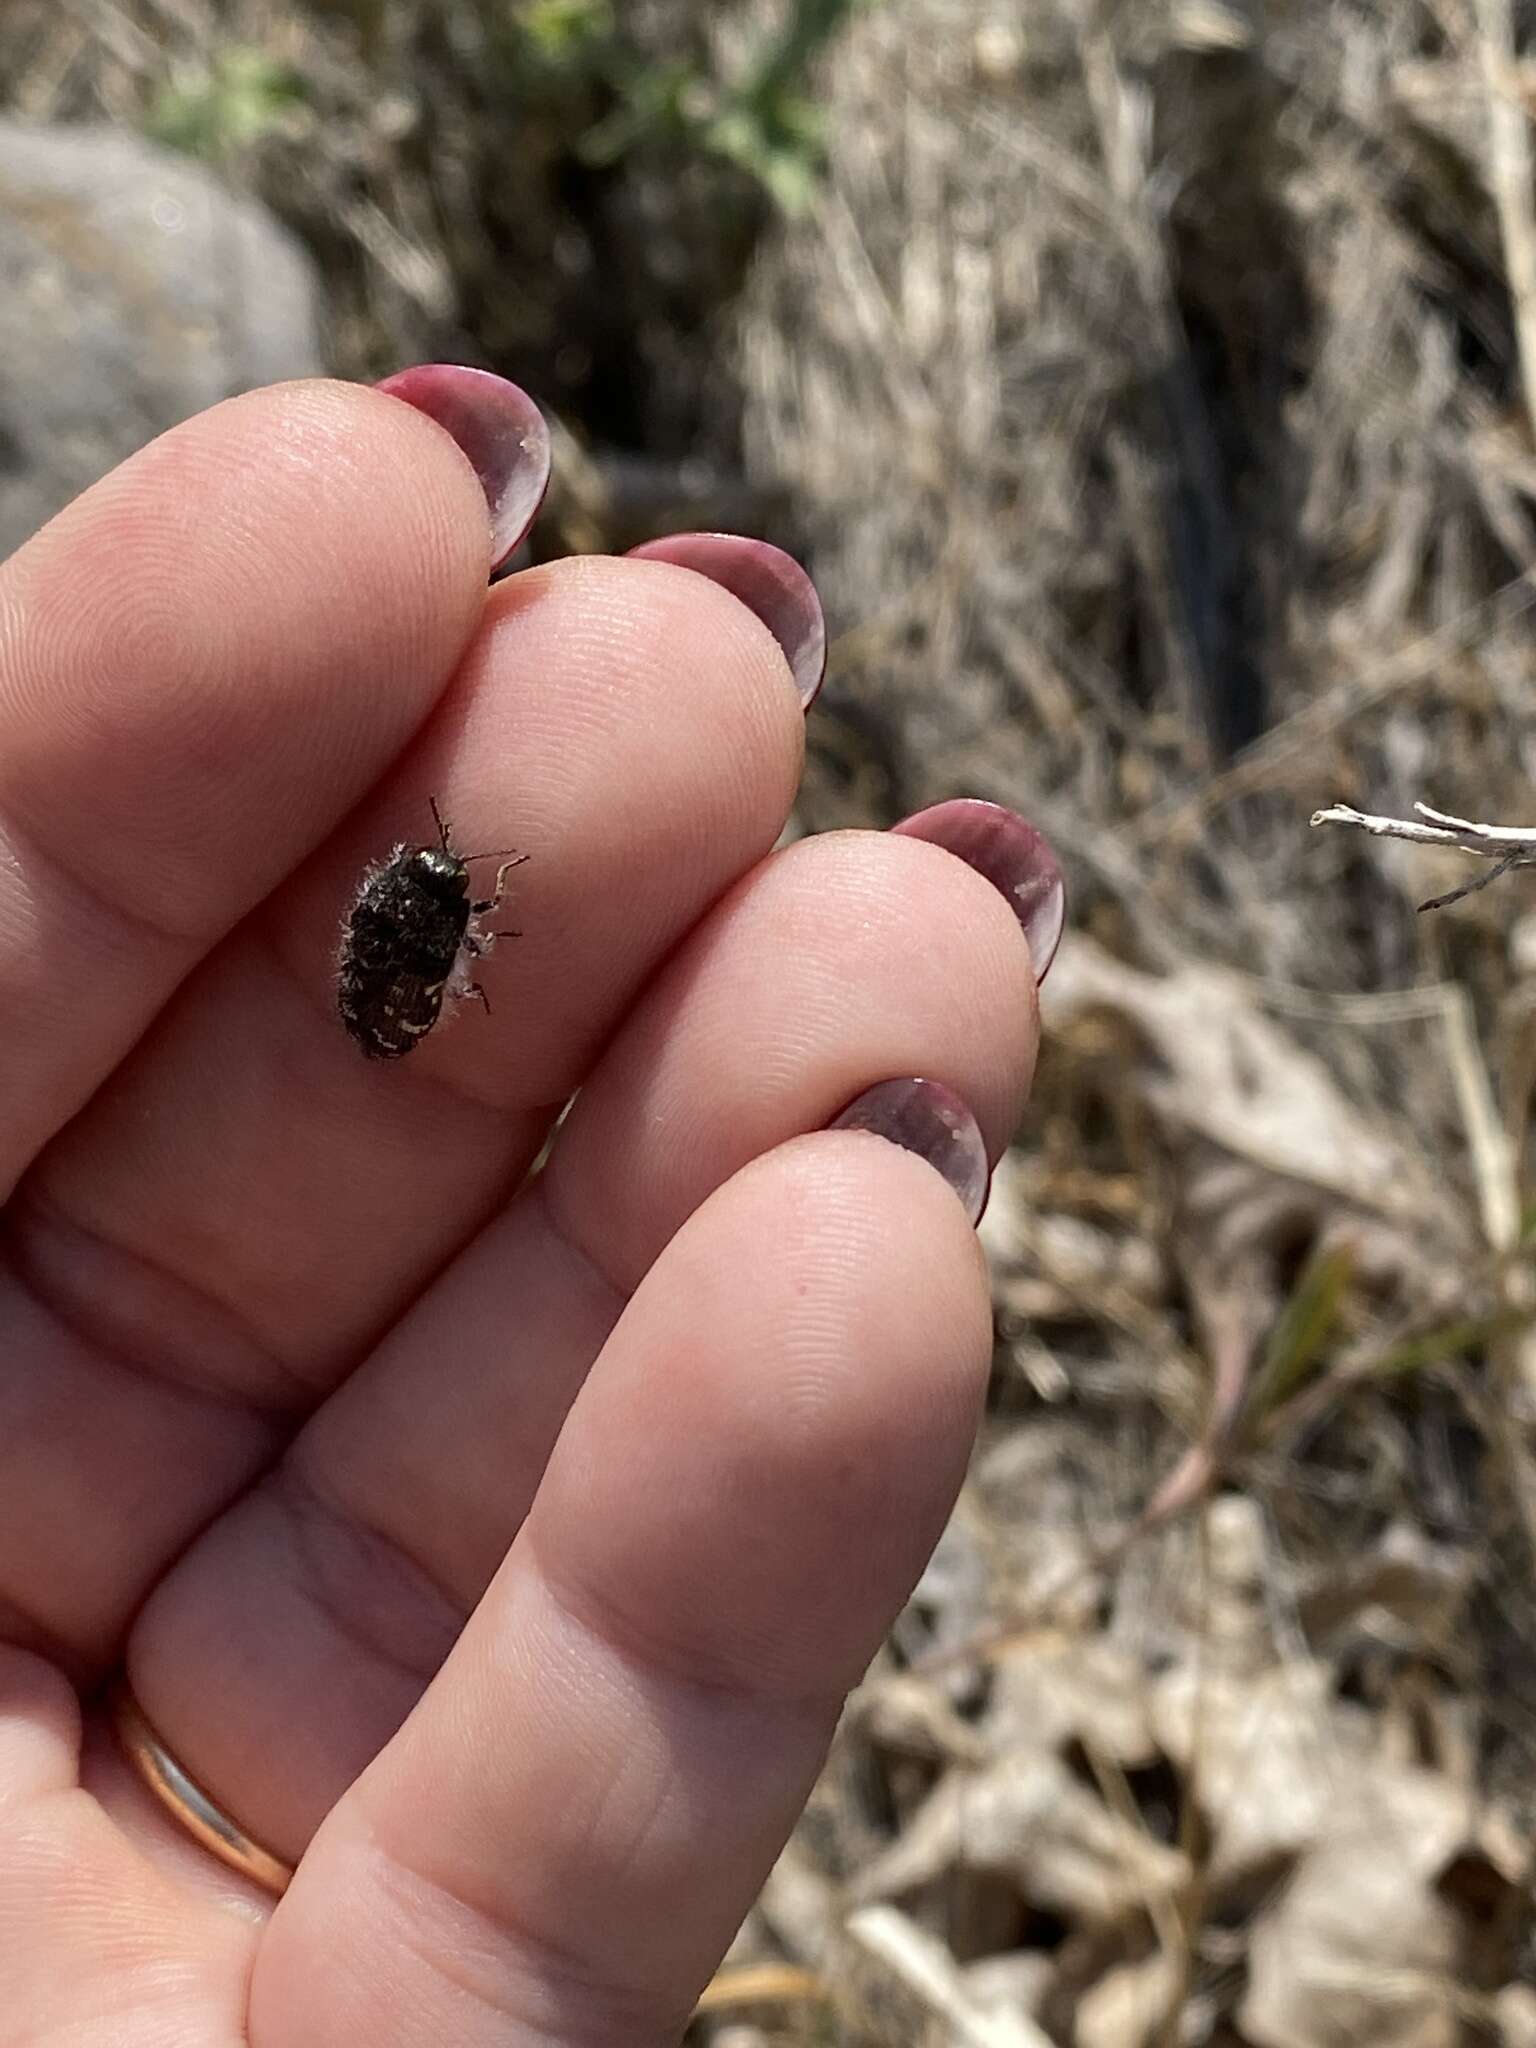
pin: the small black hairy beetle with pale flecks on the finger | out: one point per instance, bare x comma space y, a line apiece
411, 939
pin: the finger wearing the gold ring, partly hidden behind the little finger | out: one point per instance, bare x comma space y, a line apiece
351, 1570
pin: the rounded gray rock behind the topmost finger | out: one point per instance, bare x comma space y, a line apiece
134, 292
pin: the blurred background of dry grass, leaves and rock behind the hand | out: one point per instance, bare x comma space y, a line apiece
1150, 390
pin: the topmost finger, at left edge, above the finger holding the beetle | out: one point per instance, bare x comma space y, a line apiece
204, 663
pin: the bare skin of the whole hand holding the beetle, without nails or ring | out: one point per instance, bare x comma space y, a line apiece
284, 1353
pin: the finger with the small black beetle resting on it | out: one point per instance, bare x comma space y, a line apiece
241, 1213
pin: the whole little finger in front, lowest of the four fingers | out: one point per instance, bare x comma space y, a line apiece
572, 1824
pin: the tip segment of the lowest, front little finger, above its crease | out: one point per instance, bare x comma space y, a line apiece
781, 1420
